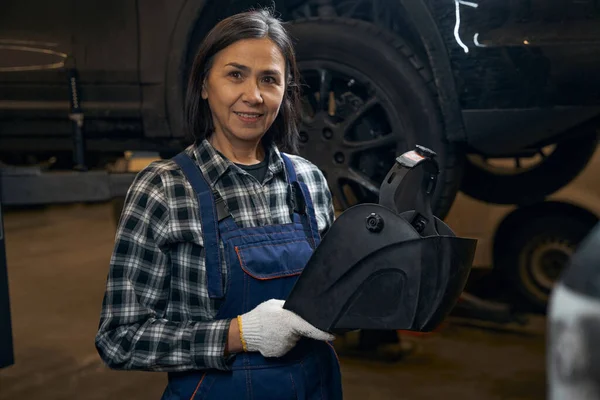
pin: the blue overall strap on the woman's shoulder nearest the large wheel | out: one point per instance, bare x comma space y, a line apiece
303, 204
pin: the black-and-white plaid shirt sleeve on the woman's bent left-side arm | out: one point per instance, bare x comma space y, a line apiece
134, 333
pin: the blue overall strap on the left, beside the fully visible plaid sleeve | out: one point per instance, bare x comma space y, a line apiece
208, 220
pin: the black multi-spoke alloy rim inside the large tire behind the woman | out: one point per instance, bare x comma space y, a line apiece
346, 131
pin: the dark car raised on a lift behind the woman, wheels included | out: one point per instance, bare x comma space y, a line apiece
472, 80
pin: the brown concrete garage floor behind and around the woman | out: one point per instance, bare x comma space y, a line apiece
57, 264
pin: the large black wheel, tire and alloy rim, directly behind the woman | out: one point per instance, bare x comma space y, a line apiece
367, 99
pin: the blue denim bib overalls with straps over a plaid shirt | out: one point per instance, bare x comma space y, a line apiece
262, 263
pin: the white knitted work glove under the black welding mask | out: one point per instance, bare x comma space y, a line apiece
273, 331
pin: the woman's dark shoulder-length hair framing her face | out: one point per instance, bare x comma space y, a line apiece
253, 24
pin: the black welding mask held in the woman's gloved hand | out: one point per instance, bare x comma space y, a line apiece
392, 265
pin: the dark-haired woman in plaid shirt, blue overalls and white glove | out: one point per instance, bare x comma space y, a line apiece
212, 241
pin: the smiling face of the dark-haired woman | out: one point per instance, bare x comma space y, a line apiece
245, 88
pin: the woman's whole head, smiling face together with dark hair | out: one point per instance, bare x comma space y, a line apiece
245, 71
